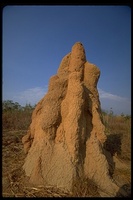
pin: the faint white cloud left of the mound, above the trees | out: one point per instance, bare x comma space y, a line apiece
32, 95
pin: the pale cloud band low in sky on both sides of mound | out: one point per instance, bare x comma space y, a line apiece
34, 95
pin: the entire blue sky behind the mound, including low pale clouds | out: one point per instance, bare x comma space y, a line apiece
36, 38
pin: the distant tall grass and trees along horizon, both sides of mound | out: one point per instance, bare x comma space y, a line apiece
17, 117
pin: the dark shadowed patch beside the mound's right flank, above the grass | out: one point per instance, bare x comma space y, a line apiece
113, 144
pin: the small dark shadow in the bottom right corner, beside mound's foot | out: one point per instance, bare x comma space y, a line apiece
124, 191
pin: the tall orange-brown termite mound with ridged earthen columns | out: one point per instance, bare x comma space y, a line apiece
65, 139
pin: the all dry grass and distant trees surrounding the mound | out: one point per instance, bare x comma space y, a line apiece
15, 122
